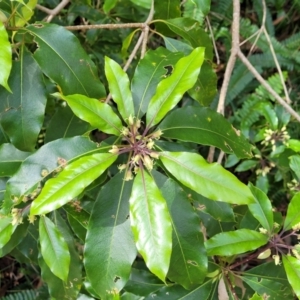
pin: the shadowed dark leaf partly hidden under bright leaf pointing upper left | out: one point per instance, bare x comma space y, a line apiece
65, 124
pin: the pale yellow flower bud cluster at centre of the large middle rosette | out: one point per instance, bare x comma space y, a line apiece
139, 145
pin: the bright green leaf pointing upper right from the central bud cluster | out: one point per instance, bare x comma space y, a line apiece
170, 90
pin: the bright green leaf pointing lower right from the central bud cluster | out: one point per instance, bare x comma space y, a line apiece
210, 180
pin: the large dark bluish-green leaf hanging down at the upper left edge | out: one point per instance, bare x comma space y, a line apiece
23, 110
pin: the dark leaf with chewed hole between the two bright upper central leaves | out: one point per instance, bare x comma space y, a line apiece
148, 74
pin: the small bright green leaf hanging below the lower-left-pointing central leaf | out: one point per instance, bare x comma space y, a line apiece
54, 249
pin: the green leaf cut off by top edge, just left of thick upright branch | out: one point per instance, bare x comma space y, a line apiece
196, 9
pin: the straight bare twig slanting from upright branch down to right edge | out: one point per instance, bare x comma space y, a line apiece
266, 85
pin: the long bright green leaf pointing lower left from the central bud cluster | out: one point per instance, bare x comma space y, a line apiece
72, 180
